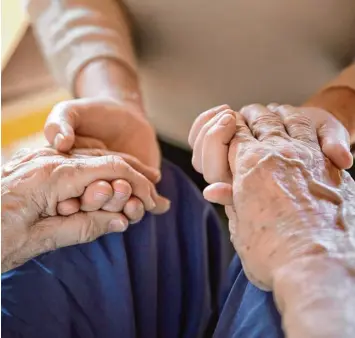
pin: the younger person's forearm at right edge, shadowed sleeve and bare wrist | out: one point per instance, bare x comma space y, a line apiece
338, 97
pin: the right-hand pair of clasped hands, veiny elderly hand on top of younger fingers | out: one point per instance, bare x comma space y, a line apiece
265, 164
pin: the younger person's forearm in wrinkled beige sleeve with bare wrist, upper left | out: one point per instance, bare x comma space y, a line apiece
87, 44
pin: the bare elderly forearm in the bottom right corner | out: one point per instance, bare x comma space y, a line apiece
315, 297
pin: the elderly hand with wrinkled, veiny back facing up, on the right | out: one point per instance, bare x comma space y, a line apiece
283, 185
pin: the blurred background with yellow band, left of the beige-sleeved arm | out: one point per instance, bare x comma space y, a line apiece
27, 90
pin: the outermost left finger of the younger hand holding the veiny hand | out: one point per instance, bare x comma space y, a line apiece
198, 145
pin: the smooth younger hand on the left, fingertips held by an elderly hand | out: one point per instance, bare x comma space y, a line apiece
97, 123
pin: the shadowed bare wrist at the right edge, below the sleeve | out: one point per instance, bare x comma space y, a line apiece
340, 102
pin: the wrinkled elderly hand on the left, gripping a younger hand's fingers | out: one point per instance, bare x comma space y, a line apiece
34, 184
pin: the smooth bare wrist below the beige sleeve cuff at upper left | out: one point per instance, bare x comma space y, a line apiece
110, 79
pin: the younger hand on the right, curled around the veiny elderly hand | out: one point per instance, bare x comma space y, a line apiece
209, 156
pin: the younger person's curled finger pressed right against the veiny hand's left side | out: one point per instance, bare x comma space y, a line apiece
215, 150
